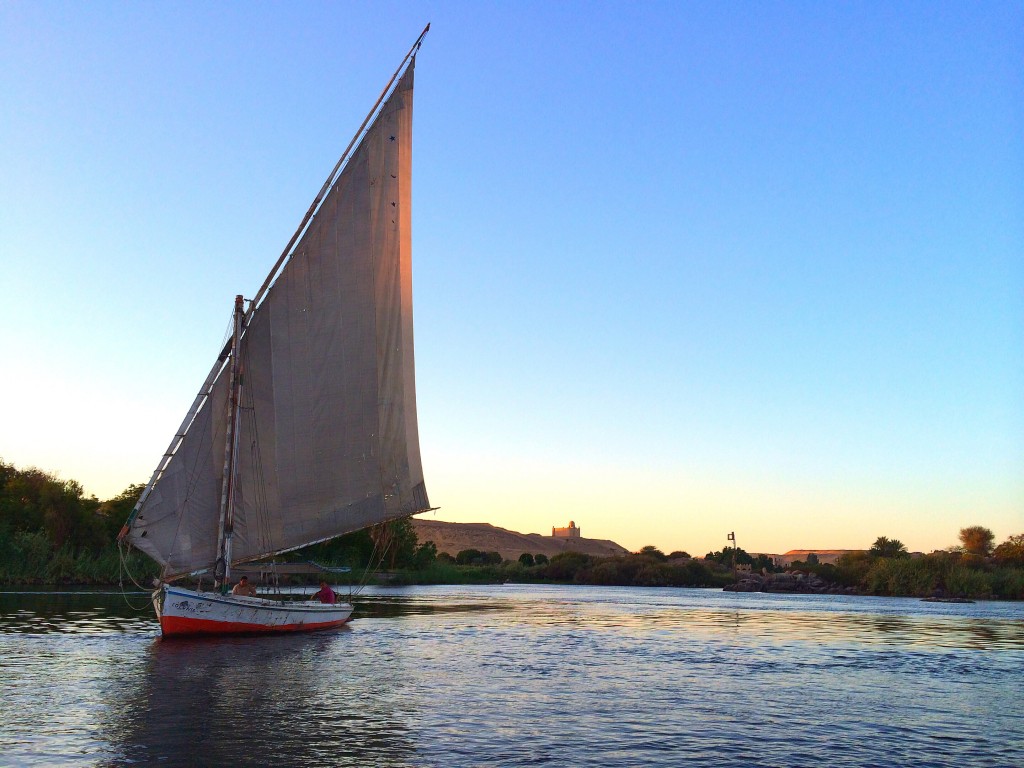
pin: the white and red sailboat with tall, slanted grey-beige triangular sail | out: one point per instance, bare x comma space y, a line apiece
306, 429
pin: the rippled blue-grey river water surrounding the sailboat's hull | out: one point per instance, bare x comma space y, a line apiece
520, 676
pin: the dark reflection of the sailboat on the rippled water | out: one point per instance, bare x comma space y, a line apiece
283, 702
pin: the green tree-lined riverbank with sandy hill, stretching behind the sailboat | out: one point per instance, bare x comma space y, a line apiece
52, 535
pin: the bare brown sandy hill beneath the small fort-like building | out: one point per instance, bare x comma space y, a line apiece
455, 537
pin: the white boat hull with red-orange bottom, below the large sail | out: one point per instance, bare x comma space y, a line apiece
184, 612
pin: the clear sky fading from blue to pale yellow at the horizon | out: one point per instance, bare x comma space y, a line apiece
680, 269
